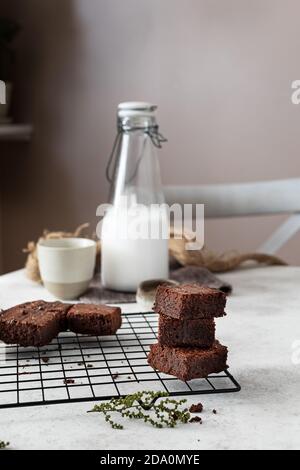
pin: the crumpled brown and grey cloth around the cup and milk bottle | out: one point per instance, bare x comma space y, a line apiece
185, 266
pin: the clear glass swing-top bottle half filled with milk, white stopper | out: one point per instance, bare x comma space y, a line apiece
134, 239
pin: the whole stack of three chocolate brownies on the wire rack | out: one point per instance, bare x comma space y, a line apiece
186, 346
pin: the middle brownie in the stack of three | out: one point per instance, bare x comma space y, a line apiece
199, 333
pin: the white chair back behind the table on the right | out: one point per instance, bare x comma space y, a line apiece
247, 199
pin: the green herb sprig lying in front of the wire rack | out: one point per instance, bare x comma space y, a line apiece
145, 406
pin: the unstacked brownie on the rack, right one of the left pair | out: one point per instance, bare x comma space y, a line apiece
94, 319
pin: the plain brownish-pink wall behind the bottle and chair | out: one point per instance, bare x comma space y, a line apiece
220, 70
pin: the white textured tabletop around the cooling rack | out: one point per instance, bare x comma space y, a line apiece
262, 330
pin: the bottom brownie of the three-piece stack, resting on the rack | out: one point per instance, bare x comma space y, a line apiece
188, 363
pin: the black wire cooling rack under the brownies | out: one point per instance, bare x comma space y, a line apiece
75, 368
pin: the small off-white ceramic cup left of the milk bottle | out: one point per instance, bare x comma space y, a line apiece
67, 265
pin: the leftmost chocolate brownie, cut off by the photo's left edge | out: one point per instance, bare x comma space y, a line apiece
33, 323
